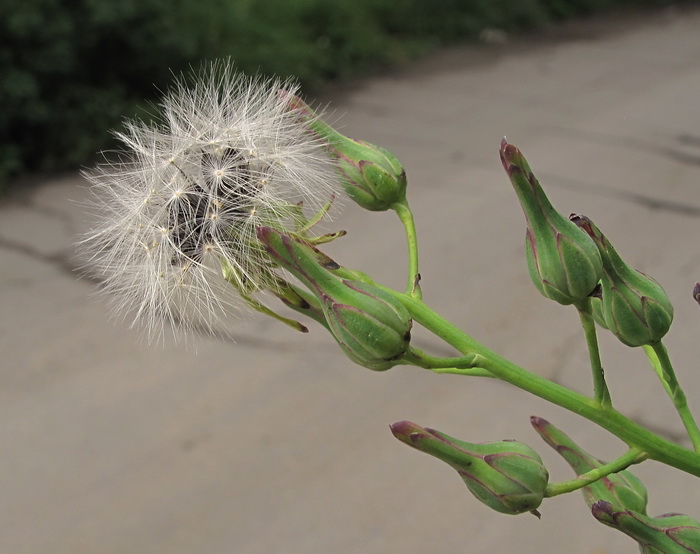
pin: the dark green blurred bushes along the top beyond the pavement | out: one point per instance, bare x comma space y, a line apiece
71, 69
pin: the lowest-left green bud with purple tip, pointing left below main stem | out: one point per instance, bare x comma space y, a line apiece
507, 476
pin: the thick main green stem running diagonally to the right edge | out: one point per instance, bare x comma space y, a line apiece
630, 432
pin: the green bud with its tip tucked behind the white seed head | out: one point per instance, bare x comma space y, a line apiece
372, 176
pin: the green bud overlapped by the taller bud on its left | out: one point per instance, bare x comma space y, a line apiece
635, 307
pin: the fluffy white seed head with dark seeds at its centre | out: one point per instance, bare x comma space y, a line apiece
185, 196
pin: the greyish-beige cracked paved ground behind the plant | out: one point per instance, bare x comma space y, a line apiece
276, 443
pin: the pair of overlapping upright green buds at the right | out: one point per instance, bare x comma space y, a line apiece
570, 261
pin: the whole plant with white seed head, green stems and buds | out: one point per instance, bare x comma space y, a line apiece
218, 203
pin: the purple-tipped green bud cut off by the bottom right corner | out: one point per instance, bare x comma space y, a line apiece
665, 534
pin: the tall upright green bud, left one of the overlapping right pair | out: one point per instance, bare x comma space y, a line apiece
563, 262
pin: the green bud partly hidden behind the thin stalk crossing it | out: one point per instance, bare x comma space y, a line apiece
623, 489
